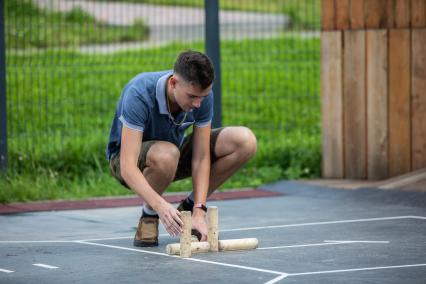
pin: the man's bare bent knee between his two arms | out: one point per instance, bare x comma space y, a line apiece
163, 156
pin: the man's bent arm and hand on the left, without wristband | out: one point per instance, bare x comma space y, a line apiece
131, 142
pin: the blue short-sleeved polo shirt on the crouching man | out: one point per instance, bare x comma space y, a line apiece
143, 107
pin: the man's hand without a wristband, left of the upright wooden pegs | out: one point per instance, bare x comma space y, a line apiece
170, 218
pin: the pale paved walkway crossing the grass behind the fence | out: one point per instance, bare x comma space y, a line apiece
169, 24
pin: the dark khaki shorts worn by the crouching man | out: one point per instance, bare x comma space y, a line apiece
184, 166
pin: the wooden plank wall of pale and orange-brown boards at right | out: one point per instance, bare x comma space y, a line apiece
373, 87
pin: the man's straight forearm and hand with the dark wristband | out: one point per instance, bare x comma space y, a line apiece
201, 175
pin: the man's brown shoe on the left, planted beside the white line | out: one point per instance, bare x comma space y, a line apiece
147, 233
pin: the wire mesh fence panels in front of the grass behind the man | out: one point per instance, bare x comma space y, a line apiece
67, 62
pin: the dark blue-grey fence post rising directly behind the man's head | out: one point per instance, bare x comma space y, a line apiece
212, 43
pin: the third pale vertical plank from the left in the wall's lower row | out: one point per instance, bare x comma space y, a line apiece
377, 104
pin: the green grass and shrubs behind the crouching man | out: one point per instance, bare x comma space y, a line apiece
61, 104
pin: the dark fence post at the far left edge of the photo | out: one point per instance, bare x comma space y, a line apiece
3, 117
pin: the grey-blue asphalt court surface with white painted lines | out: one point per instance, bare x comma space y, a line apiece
309, 234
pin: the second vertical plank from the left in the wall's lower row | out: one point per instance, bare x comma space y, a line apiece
354, 104
